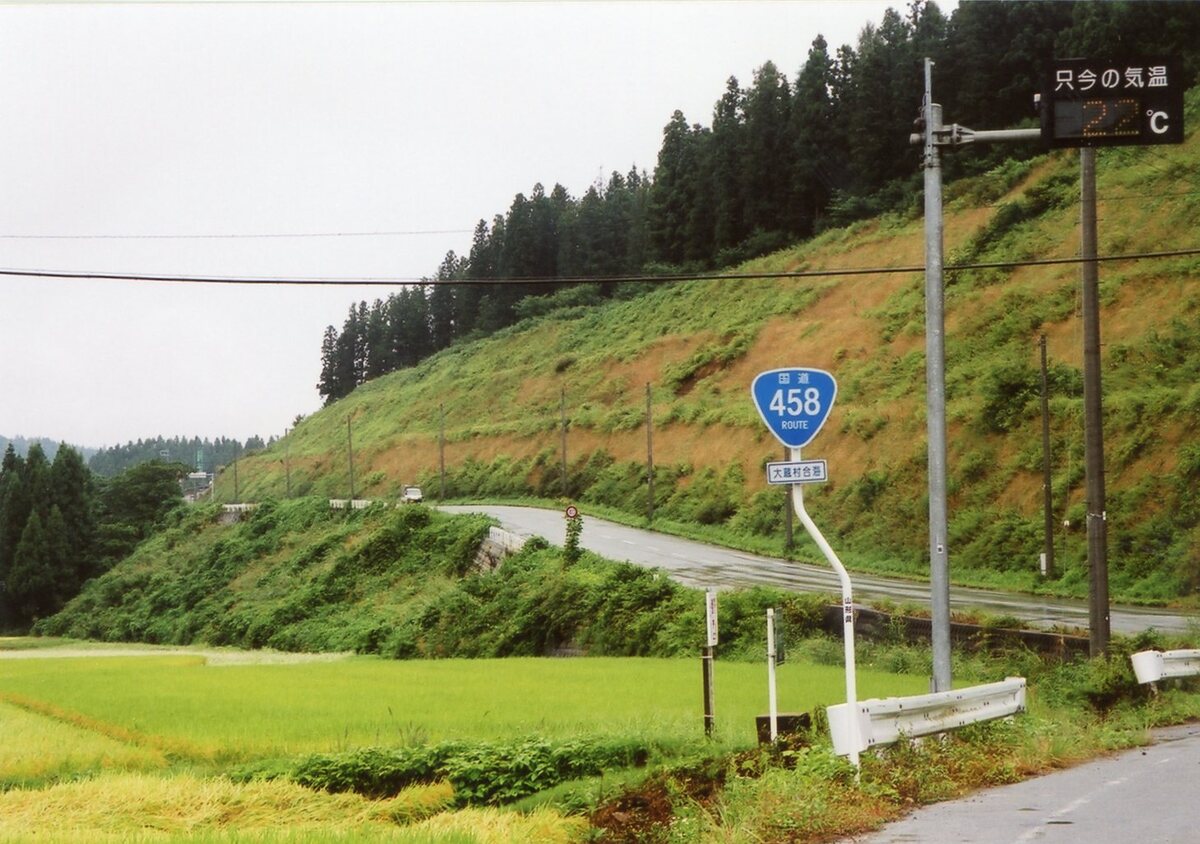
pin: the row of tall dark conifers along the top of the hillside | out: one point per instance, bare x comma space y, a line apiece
779, 161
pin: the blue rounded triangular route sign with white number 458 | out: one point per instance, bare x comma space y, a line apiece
795, 403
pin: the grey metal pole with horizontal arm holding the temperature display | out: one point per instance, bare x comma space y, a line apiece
935, 136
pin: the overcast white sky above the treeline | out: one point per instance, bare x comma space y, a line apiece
251, 119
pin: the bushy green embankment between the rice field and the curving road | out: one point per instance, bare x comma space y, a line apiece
400, 583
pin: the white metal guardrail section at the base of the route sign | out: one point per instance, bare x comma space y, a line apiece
885, 721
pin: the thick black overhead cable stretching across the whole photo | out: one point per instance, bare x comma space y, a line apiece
574, 280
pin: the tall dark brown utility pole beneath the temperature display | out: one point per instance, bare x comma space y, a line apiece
1094, 428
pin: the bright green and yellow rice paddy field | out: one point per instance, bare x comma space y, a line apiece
136, 747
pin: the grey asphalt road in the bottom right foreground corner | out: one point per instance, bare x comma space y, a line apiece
1147, 795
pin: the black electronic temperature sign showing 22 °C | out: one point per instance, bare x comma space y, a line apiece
1099, 103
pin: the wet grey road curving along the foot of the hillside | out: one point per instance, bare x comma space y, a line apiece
707, 566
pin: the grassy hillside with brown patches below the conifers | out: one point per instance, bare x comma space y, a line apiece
699, 345
